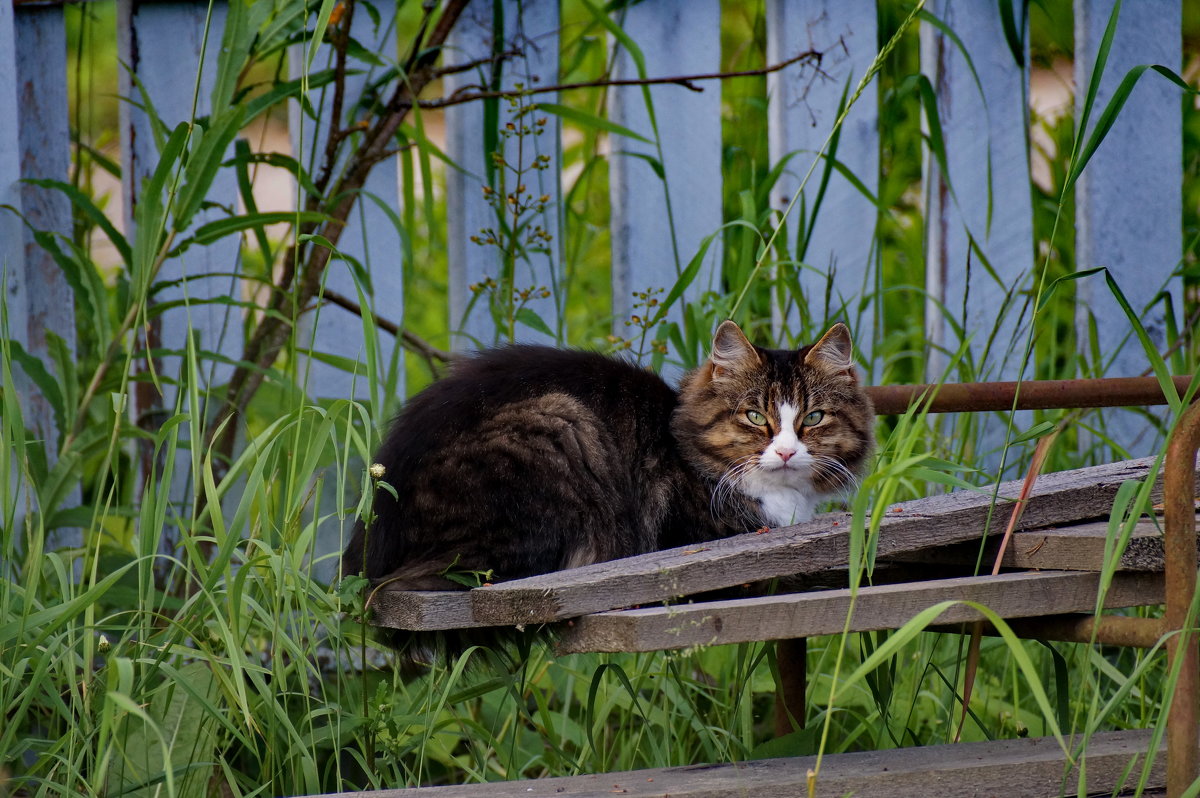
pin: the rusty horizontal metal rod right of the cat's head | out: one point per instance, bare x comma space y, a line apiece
1035, 395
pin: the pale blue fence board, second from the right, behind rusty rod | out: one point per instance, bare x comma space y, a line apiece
985, 121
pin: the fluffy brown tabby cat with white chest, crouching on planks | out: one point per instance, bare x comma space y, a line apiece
527, 460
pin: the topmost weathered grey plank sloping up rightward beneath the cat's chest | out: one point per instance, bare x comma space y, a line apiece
805, 549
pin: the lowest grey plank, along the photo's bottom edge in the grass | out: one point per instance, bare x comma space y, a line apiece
1033, 766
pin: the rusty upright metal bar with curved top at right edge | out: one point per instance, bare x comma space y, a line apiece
1180, 545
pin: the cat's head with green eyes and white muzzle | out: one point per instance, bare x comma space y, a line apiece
784, 428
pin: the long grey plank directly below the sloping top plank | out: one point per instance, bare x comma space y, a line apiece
887, 607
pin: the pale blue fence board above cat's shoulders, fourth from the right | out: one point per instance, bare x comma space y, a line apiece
658, 227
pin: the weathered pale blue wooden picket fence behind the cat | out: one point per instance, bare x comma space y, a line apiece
980, 247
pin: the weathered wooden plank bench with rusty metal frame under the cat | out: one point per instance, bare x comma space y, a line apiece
1058, 554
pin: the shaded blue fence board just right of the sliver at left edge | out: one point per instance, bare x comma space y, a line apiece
45, 153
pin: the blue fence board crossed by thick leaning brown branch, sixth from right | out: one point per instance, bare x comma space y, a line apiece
371, 236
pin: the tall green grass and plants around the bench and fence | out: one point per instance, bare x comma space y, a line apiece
193, 643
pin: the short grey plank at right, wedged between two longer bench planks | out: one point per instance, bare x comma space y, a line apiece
1067, 549
